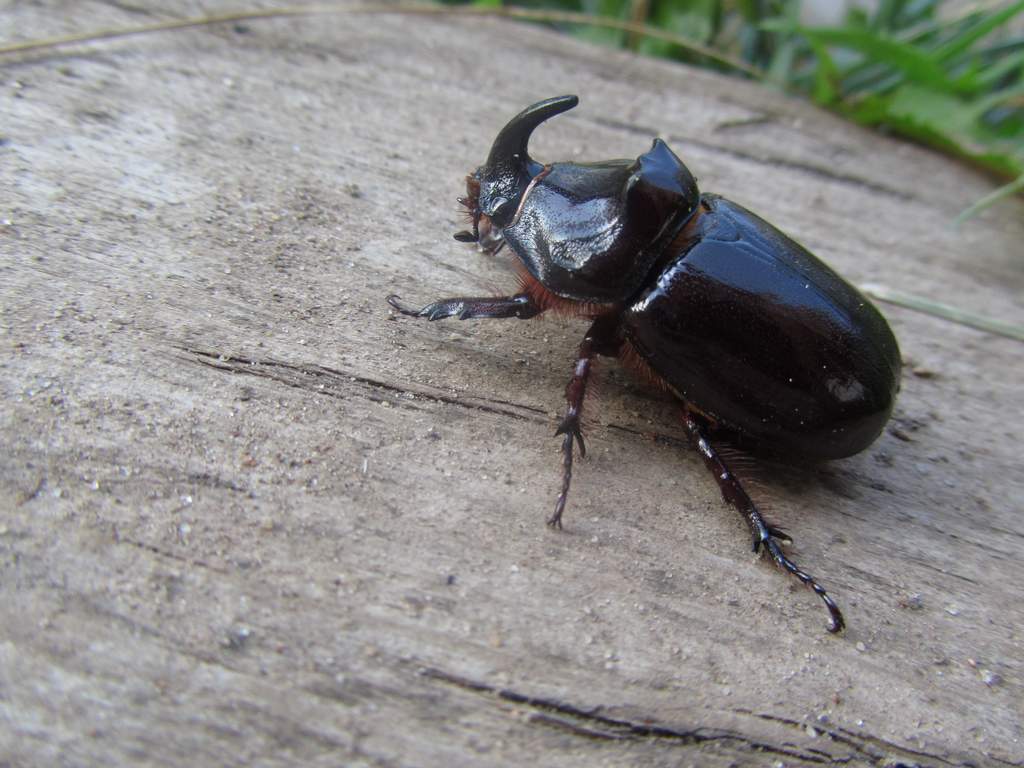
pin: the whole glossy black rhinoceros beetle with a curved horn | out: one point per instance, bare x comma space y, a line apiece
759, 340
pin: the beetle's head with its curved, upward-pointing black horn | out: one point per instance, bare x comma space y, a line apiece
495, 191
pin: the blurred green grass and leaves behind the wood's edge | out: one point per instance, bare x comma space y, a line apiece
951, 78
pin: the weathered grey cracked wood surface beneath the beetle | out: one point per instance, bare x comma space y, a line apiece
249, 518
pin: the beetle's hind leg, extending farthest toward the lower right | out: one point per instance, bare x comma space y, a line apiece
764, 535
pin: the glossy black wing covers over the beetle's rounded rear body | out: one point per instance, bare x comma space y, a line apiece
757, 333
